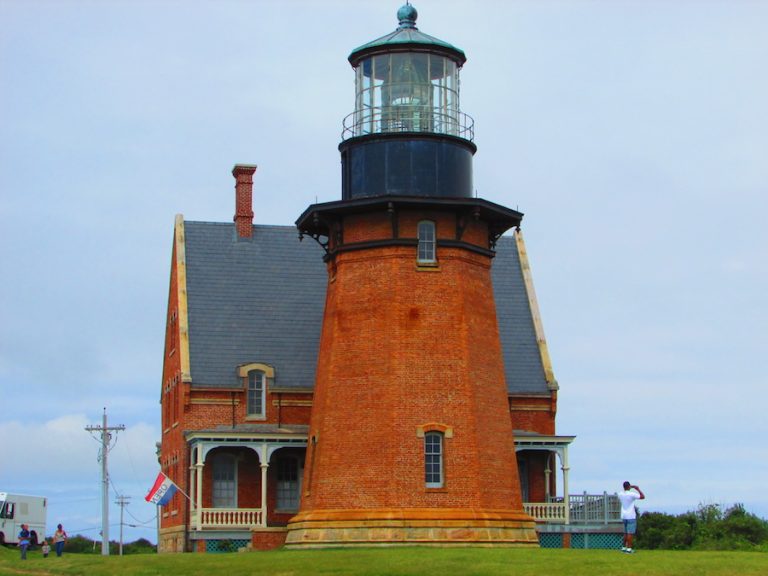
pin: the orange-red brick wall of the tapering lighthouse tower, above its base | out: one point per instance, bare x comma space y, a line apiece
401, 347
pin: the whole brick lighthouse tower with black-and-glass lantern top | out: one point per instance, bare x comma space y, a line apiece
410, 439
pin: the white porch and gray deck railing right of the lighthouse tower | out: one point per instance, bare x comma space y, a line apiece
583, 509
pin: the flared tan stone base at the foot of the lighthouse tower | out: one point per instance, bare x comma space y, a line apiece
411, 527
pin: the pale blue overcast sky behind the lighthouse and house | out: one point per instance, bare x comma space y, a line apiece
632, 134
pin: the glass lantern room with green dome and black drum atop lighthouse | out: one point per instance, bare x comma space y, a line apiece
407, 135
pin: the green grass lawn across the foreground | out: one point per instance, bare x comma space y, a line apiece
397, 562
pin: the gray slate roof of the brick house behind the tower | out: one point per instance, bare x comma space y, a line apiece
262, 300
